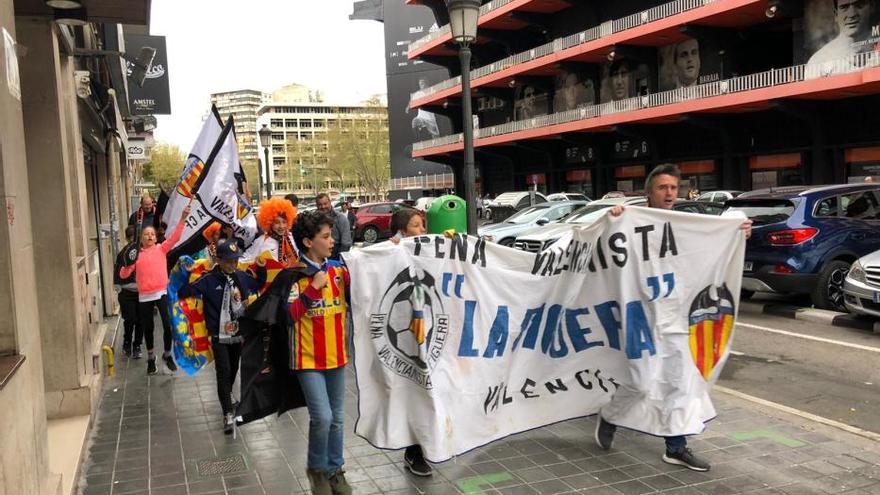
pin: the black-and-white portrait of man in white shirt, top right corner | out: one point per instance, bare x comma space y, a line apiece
836, 29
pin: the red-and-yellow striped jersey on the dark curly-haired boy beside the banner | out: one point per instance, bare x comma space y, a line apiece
319, 320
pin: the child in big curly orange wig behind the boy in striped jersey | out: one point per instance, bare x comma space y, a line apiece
276, 216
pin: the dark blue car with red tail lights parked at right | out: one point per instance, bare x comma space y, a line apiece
805, 238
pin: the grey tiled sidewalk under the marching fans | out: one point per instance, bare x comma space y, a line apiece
162, 434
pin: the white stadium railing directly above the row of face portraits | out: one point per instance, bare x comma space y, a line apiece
605, 29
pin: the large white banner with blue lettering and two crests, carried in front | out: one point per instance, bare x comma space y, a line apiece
459, 342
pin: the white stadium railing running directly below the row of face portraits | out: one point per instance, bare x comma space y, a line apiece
773, 77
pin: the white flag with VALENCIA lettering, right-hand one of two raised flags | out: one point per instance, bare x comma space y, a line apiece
217, 189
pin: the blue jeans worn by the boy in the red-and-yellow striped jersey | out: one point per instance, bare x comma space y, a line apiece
325, 396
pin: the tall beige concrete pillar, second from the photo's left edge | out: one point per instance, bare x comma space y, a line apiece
55, 160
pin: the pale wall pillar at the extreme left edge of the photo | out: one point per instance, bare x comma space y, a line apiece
24, 461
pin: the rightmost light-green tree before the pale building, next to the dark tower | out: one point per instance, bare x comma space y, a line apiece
358, 146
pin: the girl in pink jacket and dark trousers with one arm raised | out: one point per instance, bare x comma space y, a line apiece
151, 275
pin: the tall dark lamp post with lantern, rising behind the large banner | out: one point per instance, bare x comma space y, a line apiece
463, 16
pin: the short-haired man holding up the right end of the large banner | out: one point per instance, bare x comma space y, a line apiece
661, 188
